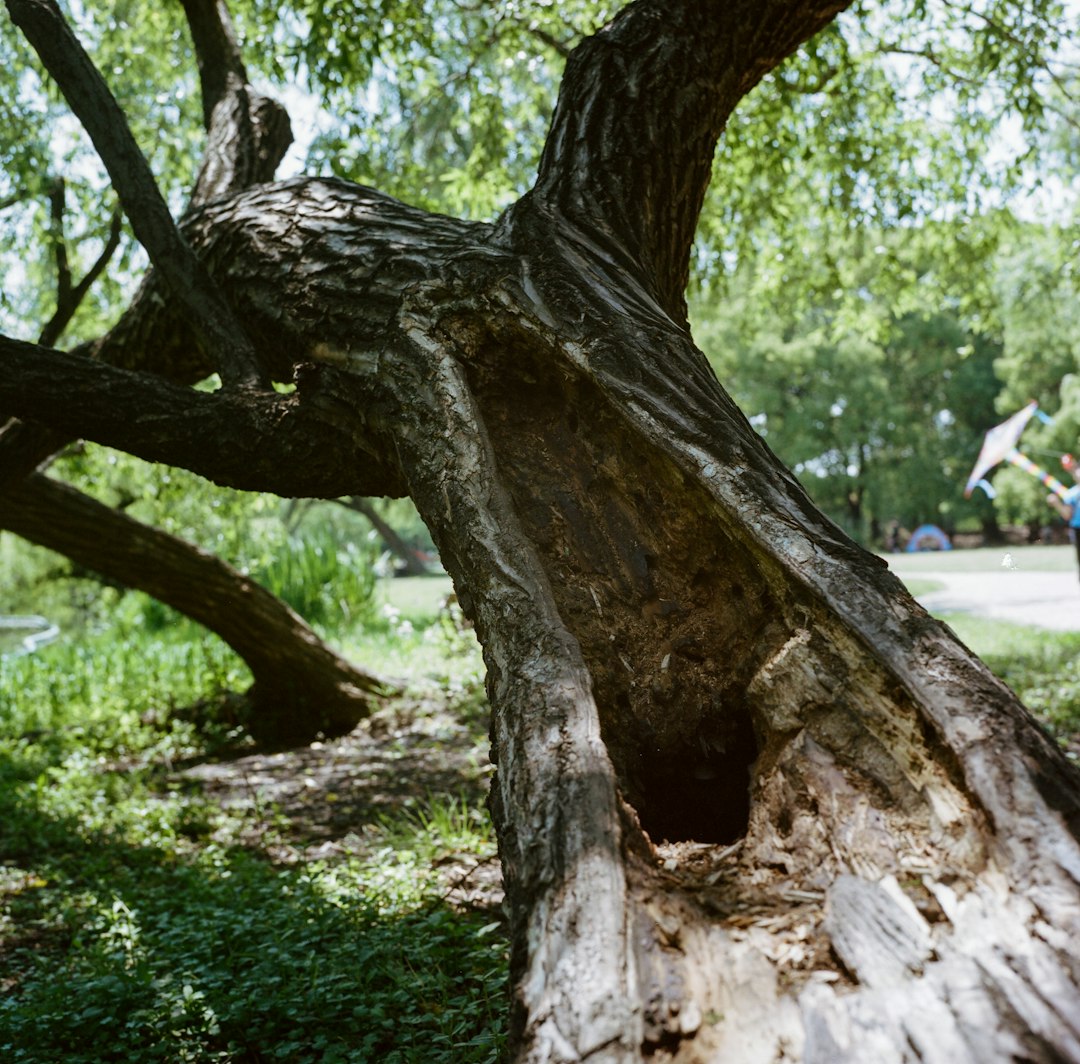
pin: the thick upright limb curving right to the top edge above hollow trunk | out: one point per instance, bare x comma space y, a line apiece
641, 109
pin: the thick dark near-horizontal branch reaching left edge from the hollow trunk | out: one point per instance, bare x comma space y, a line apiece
307, 445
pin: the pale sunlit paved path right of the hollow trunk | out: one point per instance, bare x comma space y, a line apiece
1011, 591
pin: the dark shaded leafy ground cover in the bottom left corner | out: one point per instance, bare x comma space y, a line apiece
160, 951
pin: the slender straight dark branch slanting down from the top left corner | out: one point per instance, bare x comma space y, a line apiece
96, 106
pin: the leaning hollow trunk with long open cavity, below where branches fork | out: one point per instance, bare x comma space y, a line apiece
753, 803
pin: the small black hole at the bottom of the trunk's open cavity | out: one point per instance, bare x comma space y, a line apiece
700, 793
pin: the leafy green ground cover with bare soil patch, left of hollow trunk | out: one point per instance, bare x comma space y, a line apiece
339, 904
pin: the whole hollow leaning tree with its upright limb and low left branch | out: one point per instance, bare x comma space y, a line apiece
753, 803
